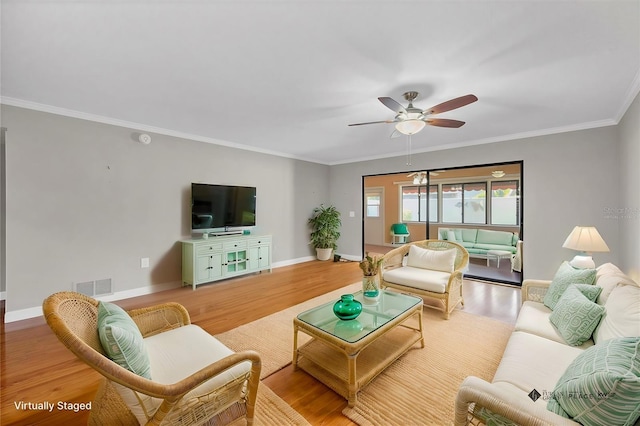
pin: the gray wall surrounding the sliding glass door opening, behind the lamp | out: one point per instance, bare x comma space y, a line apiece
569, 180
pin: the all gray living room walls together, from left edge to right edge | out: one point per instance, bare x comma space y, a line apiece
85, 201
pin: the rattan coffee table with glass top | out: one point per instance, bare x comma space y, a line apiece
347, 355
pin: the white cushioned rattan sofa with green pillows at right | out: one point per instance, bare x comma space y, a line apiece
537, 356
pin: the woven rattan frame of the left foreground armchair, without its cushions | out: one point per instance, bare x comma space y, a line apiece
73, 318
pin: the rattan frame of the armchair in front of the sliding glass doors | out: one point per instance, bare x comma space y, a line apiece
451, 294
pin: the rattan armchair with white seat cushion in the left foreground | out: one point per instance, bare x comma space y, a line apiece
195, 379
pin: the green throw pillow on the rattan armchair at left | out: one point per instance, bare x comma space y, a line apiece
121, 339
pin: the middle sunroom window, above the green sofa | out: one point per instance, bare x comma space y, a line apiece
464, 203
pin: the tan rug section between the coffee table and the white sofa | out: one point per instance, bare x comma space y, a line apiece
420, 387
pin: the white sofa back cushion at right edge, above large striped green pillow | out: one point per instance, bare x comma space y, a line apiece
622, 315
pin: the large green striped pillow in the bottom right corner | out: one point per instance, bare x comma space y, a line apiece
601, 386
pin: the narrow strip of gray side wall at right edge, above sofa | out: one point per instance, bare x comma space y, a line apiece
627, 213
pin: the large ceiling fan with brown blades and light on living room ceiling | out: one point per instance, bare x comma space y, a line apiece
411, 120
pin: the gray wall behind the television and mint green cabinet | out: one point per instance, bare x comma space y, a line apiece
85, 201
